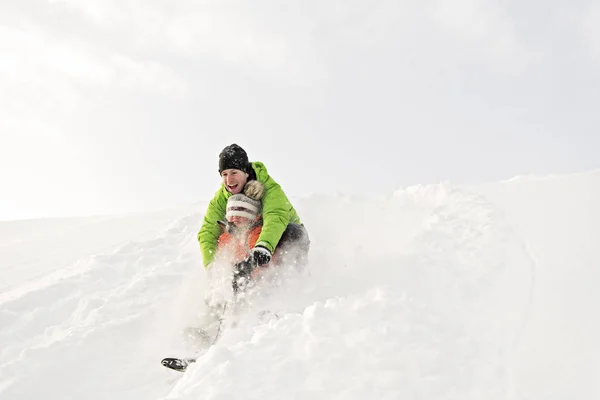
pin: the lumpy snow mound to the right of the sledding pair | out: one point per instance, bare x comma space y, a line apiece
422, 295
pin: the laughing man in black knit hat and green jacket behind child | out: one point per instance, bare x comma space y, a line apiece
278, 215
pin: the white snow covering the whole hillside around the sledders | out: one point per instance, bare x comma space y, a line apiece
434, 292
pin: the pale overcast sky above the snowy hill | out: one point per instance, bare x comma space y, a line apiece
123, 105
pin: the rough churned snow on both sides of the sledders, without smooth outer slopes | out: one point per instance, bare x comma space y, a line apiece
420, 295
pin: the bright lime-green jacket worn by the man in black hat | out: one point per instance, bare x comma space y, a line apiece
277, 213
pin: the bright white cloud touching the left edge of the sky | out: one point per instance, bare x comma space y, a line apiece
43, 73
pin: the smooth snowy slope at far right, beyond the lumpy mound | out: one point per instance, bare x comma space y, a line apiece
558, 217
